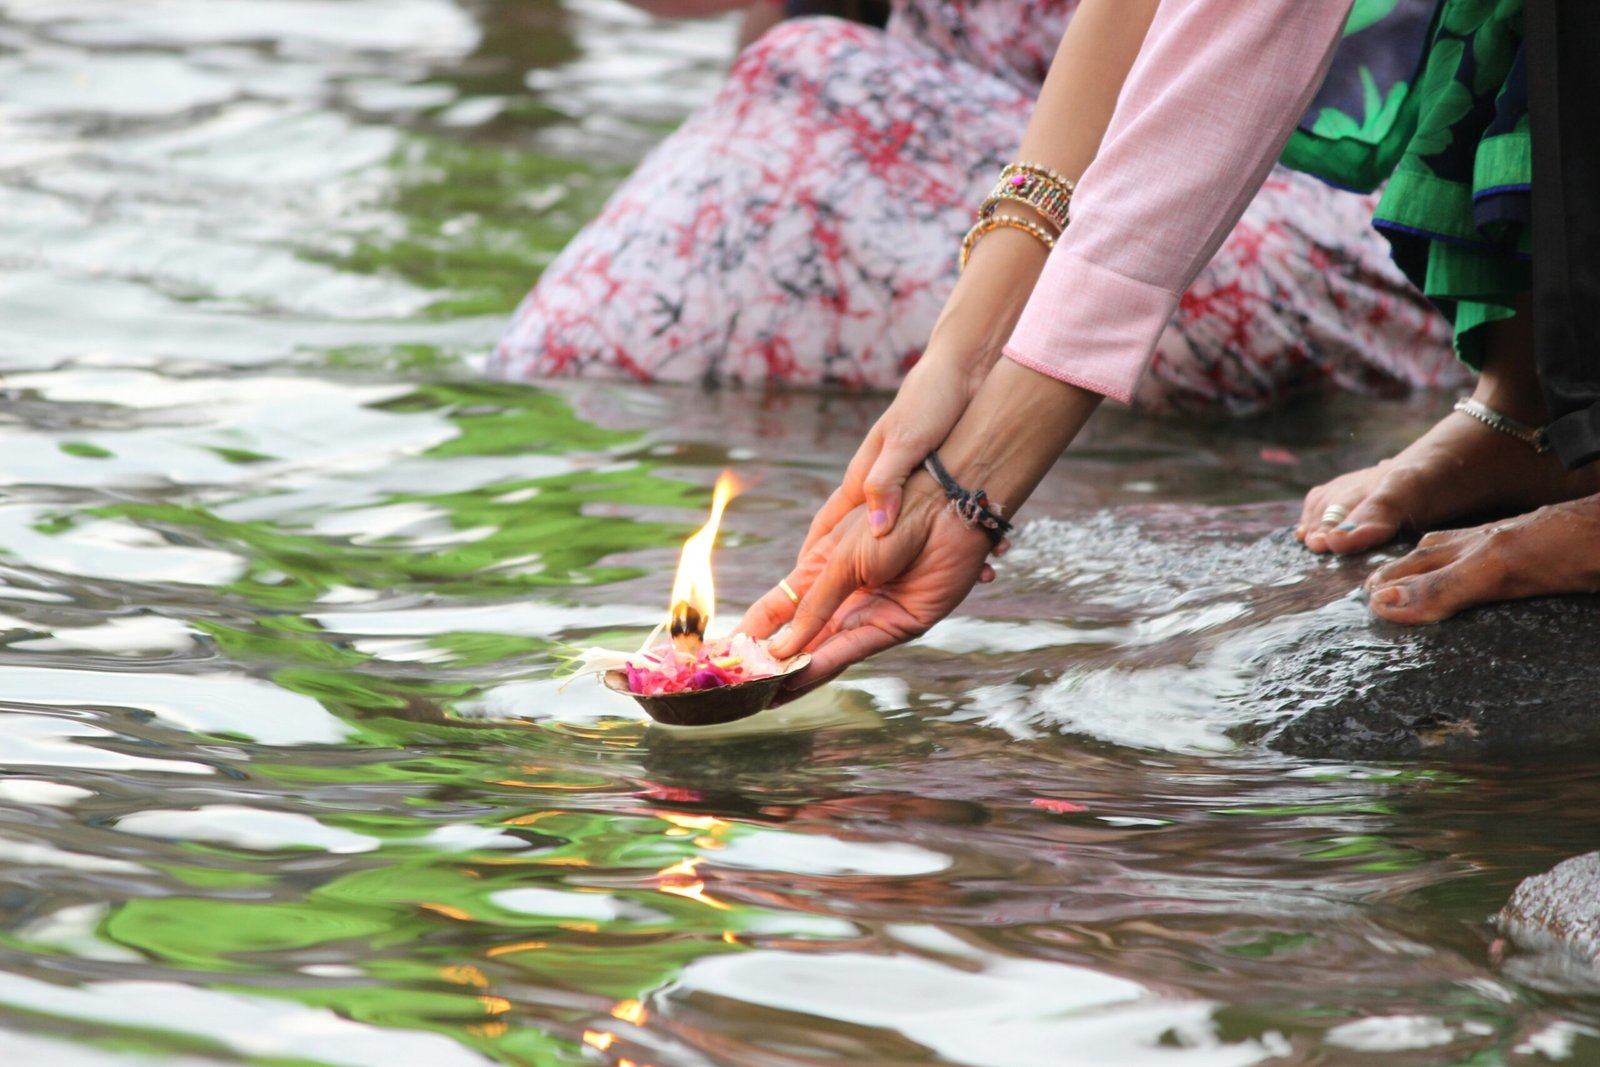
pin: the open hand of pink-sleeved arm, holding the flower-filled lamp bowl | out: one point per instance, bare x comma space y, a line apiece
862, 594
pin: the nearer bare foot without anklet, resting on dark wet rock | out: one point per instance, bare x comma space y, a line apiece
1551, 551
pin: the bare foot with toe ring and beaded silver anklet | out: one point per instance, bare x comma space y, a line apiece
1460, 468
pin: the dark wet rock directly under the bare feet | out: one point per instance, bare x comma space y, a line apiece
1510, 679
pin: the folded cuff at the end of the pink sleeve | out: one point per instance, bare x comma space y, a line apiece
1084, 322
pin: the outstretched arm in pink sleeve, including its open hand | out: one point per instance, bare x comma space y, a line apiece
1214, 97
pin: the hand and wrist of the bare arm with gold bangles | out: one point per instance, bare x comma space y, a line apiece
927, 407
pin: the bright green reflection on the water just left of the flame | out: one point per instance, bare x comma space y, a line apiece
532, 533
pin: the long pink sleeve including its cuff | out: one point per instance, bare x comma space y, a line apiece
1215, 94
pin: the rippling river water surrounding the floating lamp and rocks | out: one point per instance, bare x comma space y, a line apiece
286, 780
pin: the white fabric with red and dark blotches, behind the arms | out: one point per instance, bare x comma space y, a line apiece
802, 230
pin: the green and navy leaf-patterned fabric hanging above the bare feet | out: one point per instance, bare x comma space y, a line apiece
1431, 98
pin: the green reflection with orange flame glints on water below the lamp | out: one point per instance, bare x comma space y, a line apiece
607, 911
